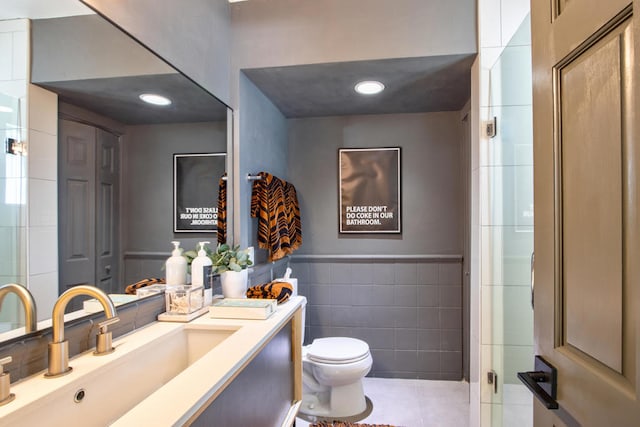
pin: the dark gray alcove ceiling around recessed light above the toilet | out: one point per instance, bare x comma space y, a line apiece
425, 84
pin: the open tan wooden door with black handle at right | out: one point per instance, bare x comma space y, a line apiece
587, 226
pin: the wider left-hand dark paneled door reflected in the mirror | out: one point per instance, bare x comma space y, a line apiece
76, 204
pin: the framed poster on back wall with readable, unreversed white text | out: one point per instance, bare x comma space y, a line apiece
370, 190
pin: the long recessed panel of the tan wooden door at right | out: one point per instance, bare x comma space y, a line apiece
589, 104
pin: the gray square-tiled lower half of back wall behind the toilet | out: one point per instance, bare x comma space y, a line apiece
408, 311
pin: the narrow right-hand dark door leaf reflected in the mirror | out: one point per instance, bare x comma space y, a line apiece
107, 209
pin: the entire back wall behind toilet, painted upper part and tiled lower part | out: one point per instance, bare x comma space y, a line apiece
409, 311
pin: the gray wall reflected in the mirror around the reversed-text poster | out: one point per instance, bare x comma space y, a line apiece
147, 190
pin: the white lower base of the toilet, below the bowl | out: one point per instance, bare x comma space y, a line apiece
334, 402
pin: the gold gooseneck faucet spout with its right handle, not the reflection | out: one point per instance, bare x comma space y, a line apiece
59, 347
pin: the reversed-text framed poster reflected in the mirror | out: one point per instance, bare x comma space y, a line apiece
196, 178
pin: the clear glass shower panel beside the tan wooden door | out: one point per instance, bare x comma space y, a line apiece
508, 231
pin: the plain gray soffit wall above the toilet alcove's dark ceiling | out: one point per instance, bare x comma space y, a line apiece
277, 33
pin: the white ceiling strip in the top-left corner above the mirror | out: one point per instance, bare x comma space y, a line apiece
40, 9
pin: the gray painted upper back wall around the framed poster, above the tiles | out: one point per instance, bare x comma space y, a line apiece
431, 181
